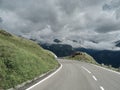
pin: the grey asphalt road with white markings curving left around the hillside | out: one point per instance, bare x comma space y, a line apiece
75, 75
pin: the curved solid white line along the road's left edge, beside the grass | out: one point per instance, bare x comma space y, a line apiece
46, 78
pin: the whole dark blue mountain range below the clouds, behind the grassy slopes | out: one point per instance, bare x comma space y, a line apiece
107, 57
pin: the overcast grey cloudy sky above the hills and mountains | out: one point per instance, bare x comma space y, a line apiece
93, 23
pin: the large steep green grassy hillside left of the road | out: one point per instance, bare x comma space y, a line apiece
21, 60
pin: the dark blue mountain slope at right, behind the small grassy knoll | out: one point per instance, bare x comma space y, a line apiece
106, 57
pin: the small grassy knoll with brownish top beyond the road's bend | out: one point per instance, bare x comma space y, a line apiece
81, 56
